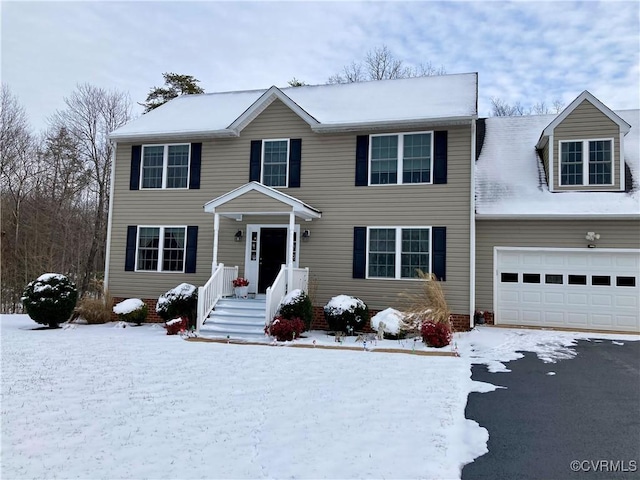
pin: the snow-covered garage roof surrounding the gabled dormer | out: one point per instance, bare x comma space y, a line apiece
510, 180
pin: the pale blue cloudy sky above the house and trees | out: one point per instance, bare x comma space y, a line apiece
522, 51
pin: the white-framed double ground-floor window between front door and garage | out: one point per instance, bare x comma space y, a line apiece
398, 252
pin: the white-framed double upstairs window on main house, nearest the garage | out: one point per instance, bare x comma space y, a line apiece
401, 158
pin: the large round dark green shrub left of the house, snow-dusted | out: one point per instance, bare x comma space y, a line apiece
50, 299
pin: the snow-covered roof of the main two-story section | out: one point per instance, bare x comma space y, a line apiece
421, 98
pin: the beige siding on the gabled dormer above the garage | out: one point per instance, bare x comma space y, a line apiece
584, 123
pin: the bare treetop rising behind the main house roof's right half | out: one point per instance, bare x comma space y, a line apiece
381, 64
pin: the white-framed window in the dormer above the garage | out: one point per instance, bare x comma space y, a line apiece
586, 162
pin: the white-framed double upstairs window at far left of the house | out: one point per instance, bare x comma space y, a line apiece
165, 166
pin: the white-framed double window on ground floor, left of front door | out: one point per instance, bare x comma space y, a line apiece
161, 249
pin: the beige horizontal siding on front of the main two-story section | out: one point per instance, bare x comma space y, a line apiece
327, 184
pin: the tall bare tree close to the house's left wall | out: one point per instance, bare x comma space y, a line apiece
91, 113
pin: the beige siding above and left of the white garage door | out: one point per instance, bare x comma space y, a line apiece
538, 233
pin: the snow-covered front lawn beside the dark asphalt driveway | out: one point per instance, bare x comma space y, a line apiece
103, 401
